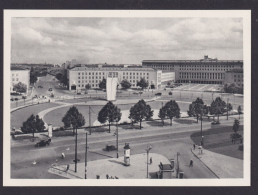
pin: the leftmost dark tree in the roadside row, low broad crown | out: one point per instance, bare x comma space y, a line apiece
33, 124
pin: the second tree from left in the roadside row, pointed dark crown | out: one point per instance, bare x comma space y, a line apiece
73, 118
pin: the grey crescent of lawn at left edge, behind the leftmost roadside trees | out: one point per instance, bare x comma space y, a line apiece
19, 116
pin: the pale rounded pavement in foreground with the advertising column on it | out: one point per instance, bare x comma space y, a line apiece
114, 167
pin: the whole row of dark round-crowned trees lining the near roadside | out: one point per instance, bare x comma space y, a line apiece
138, 113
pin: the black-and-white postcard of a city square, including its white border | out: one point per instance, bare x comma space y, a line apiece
158, 98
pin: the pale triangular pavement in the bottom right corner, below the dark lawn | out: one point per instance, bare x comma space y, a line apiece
223, 166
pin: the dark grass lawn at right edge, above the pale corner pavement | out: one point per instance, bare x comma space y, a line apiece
218, 140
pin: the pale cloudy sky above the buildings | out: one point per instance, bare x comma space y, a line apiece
124, 40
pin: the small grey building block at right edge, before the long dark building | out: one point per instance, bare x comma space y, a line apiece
234, 76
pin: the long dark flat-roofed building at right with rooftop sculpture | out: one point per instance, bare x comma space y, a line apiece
207, 70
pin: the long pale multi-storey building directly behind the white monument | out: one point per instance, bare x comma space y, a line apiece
81, 76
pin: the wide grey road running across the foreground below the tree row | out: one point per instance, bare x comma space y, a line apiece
166, 141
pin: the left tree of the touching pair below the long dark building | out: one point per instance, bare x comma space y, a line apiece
197, 109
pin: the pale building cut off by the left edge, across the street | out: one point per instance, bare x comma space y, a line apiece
20, 75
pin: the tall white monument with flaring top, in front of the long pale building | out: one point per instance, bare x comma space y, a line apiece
111, 85
